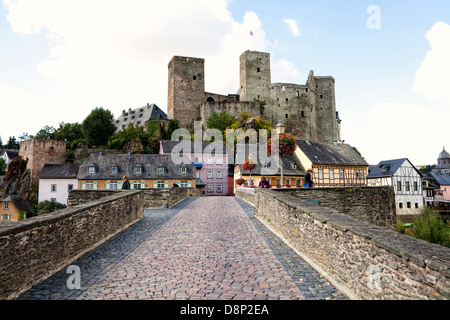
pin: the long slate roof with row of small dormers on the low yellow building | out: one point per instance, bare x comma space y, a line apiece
126, 164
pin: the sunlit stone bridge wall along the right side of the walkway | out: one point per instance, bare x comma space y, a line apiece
364, 261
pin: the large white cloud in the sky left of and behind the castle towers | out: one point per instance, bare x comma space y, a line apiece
115, 53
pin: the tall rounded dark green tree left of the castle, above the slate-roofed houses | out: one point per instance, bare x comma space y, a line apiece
98, 127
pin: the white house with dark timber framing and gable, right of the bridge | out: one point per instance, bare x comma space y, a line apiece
406, 180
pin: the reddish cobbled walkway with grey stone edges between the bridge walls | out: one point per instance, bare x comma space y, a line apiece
203, 248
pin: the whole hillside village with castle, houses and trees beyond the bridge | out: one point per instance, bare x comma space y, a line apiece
44, 170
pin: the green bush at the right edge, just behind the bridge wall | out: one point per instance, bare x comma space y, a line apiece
431, 227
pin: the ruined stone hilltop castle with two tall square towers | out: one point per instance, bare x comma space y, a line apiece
308, 111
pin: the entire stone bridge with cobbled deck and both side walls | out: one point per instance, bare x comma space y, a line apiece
259, 245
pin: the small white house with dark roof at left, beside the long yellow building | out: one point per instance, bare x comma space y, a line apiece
55, 182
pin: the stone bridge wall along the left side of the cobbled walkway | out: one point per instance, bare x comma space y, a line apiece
31, 250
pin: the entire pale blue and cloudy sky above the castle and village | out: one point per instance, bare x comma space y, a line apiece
60, 59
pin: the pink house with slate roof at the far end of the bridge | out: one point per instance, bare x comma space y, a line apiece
211, 164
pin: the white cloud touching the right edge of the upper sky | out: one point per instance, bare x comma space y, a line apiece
432, 80
